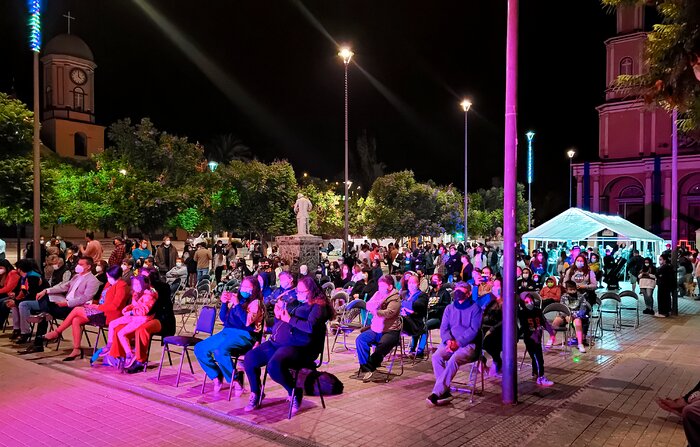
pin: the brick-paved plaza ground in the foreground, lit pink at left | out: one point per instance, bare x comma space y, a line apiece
601, 398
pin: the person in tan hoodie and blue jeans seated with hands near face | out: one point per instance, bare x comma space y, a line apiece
385, 329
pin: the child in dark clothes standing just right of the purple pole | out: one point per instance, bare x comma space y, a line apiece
532, 325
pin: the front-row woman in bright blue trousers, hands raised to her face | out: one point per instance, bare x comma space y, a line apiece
242, 316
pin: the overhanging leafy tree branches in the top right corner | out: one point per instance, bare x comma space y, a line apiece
672, 54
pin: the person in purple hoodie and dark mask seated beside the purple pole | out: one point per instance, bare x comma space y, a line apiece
460, 332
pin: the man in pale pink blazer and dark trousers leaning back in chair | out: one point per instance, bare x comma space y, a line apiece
59, 301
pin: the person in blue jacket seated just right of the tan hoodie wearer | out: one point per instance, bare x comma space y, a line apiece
414, 310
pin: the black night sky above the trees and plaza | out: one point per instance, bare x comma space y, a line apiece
264, 71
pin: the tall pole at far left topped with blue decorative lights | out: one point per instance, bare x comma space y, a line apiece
35, 46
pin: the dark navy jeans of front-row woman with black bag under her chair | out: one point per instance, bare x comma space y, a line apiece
279, 359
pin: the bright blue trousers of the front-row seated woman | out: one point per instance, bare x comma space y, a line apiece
214, 353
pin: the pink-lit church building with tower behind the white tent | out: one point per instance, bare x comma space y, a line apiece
633, 175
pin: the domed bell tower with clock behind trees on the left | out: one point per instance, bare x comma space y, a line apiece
68, 112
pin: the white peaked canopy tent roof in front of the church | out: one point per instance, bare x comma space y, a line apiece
576, 226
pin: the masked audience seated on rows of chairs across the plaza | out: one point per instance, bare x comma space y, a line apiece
455, 289
